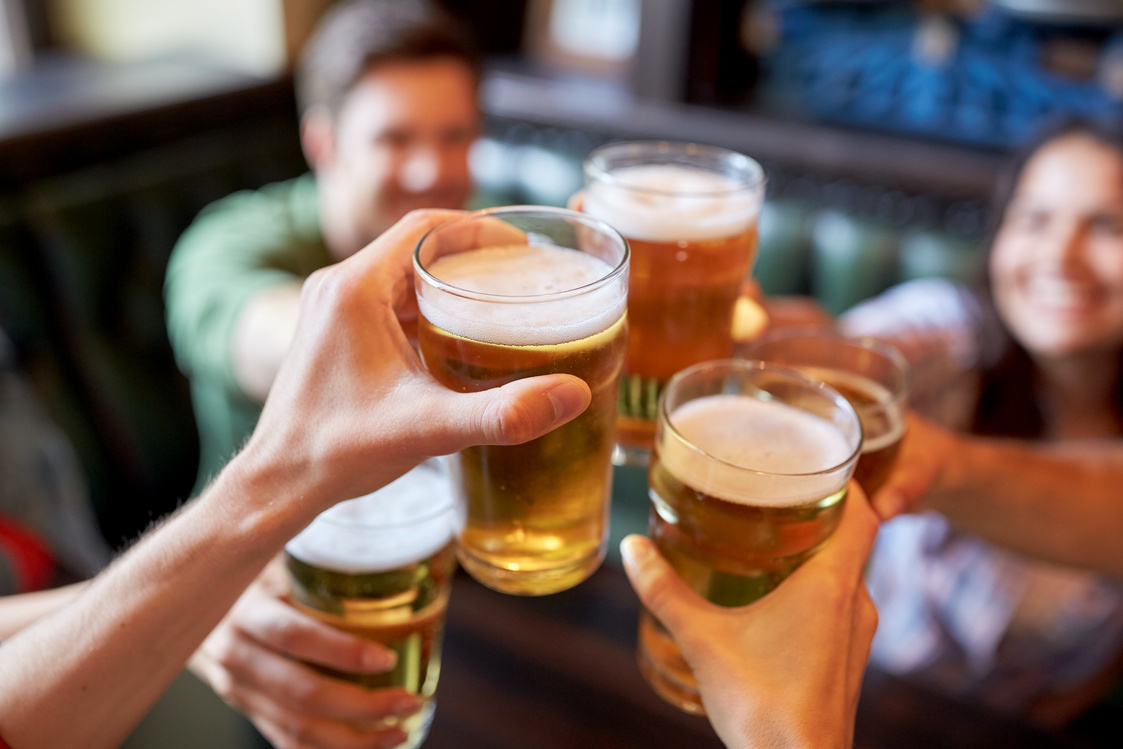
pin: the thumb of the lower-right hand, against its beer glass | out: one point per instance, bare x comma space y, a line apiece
659, 587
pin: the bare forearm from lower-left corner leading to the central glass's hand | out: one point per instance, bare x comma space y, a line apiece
111, 654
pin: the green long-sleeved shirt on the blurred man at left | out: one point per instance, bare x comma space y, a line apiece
235, 249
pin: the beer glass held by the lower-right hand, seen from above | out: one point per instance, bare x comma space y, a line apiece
747, 481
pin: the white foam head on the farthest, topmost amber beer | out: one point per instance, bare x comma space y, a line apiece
671, 203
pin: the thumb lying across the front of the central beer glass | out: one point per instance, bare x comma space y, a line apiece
522, 410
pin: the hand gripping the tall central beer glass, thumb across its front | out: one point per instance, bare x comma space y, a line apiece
352, 388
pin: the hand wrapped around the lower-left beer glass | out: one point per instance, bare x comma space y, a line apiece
251, 661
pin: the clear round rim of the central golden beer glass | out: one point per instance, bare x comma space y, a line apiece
545, 212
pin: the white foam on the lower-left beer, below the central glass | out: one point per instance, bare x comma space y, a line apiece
378, 533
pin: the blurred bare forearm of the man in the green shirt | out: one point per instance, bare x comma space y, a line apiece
262, 336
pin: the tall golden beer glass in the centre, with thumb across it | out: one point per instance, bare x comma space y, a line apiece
510, 294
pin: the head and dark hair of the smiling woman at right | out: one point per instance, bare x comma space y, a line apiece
1053, 361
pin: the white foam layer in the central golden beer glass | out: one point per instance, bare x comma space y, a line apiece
524, 271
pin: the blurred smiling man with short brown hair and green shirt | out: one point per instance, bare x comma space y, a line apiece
389, 111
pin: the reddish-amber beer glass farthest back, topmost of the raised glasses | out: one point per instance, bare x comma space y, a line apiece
690, 215
